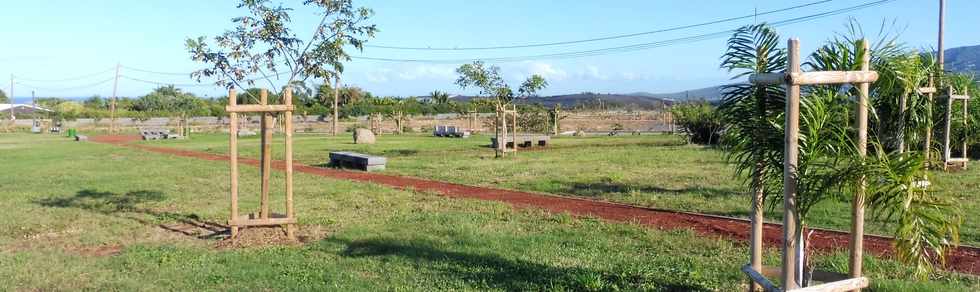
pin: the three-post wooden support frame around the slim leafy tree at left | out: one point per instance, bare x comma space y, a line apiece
265, 217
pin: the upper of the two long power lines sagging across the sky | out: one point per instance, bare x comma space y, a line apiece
723, 20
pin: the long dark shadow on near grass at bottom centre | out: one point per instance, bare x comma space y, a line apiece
497, 272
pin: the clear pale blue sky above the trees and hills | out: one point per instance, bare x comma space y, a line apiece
58, 39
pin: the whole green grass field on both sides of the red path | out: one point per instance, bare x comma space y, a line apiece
88, 216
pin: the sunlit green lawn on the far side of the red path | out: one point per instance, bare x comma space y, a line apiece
651, 170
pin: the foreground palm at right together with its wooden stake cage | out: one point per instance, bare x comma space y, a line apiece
823, 158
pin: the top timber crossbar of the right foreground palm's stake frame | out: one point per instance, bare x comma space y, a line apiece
814, 78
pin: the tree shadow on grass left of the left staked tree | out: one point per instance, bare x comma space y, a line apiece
127, 206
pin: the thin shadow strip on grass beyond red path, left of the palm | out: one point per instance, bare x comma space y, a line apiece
600, 188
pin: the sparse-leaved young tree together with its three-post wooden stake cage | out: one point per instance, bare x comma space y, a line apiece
263, 47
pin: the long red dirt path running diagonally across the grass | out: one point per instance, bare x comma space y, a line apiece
964, 259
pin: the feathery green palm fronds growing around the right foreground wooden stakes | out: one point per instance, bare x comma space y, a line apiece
830, 167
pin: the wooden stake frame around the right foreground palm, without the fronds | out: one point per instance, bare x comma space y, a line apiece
792, 264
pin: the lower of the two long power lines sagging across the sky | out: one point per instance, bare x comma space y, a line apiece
627, 48
